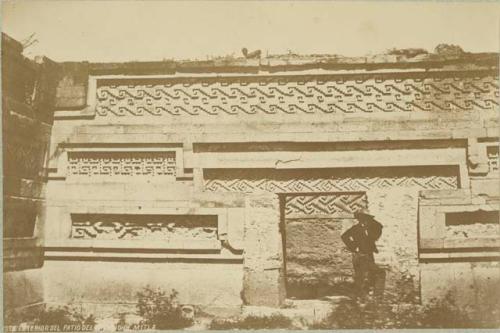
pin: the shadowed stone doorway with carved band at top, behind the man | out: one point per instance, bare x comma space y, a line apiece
316, 261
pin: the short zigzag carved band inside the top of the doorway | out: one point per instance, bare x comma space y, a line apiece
333, 205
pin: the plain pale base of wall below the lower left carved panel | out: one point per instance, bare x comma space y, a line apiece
111, 282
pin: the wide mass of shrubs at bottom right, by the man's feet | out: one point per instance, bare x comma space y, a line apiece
397, 308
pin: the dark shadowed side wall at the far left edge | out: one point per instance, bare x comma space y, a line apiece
28, 93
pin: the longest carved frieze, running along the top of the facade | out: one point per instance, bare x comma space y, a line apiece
307, 95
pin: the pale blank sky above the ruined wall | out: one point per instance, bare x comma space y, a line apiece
155, 30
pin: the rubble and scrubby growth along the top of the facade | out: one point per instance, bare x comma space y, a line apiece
445, 57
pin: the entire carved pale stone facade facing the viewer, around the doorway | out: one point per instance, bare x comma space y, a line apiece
232, 183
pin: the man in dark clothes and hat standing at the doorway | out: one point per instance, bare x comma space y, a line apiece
360, 240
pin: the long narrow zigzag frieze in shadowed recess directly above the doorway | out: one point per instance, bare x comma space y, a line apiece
325, 181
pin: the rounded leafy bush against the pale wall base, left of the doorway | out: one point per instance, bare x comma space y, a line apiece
161, 310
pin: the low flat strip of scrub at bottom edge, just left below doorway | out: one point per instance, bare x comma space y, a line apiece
275, 321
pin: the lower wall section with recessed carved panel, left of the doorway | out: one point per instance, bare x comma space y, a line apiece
162, 235
